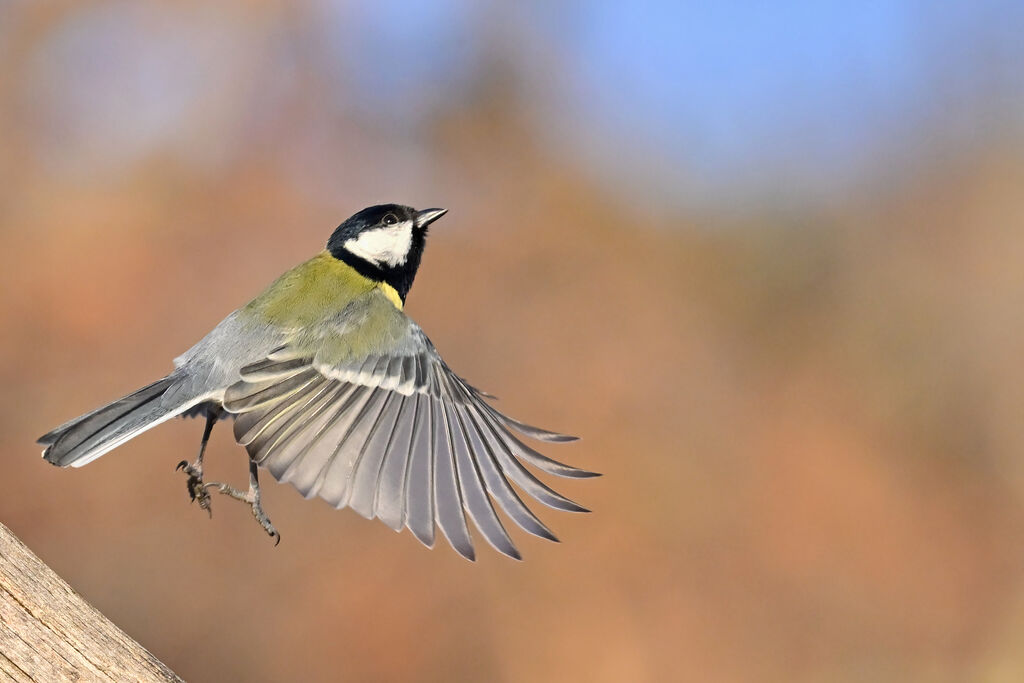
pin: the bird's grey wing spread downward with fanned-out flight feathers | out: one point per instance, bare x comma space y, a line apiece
396, 437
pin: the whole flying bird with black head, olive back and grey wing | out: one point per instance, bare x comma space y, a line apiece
334, 390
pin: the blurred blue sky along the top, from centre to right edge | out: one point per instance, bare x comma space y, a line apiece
719, 93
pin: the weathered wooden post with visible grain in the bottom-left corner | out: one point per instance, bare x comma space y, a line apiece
50, 633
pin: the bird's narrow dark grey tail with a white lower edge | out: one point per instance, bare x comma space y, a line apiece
88, 438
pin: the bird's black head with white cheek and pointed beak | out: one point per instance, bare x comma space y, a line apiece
385, 243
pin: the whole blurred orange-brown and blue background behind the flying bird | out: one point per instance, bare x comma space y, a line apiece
767, 261
